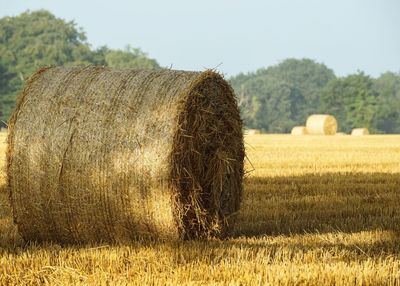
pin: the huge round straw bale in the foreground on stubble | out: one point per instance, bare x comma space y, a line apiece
101, 154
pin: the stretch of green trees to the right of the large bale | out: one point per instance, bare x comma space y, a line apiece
279, 97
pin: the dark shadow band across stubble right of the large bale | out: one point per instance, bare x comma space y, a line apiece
319, 204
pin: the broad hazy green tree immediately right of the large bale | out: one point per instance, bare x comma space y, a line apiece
276, 98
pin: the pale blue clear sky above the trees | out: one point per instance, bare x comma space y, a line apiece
237, 36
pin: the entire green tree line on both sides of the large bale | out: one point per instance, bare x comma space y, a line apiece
272, 99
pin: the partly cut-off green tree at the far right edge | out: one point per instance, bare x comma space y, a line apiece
387, 116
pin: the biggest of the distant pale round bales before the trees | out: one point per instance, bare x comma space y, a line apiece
321, 124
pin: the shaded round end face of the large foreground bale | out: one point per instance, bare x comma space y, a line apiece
207, 159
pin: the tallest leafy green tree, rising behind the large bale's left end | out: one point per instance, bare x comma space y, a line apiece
36, 39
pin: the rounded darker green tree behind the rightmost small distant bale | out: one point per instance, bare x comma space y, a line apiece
352, 100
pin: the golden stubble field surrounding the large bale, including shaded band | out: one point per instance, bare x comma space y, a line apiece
317, 210
